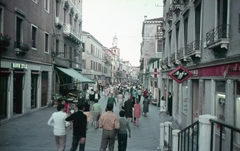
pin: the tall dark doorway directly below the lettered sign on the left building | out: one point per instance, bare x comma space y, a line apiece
17, 93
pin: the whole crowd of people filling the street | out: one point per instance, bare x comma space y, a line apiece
126, 97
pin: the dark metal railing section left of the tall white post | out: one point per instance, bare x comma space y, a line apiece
188, 138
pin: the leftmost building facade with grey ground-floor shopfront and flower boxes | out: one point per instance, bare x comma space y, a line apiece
26, 68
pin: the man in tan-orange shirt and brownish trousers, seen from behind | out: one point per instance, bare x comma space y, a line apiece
109, 123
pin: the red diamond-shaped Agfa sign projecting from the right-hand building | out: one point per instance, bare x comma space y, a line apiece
180, 74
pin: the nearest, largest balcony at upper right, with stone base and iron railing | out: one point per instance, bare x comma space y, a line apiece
218, 37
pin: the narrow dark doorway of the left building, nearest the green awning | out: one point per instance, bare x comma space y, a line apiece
44, 88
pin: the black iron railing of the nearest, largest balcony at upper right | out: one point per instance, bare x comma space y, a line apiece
217, 33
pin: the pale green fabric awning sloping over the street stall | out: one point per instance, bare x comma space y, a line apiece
73, 73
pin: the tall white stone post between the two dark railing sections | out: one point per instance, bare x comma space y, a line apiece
205, 131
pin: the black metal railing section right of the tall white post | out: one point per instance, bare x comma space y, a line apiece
233, 130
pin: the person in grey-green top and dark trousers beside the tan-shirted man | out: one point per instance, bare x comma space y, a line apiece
124, 132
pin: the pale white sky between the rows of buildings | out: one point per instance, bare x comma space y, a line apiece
105, 18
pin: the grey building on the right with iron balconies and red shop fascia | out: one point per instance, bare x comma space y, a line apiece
203, 37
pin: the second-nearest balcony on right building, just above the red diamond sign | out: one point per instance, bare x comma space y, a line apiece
194, 49
